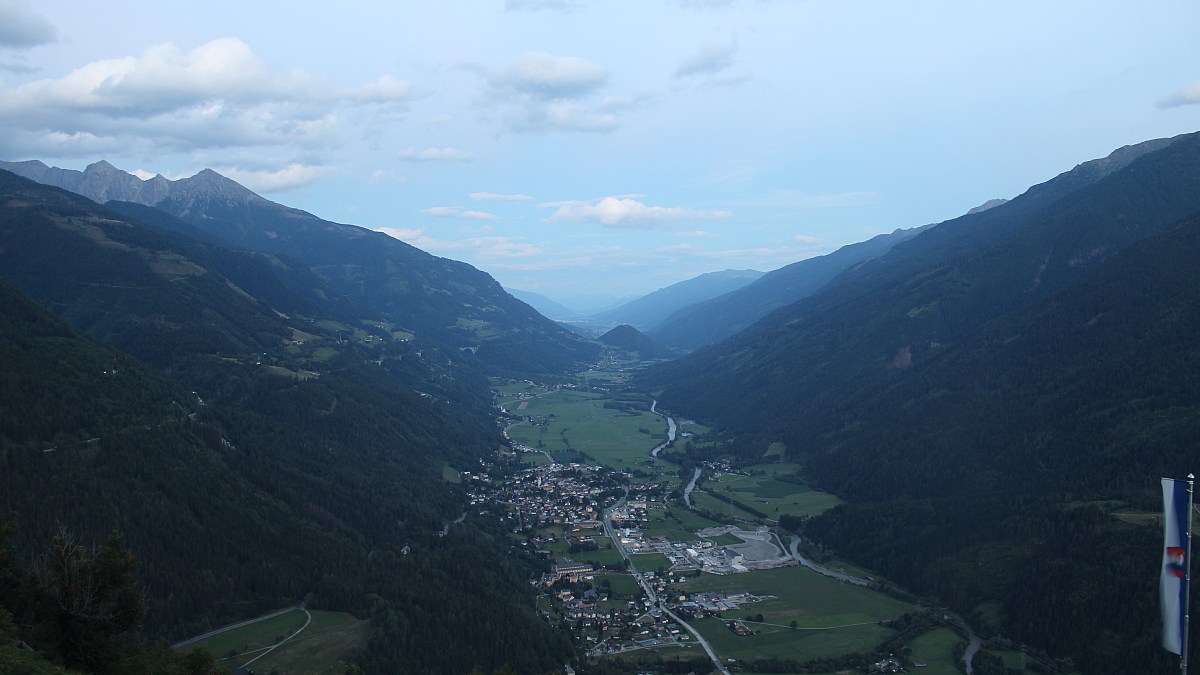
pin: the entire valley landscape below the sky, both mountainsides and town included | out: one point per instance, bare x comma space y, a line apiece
939, 440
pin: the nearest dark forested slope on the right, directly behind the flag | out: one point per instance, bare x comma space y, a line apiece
1085, 398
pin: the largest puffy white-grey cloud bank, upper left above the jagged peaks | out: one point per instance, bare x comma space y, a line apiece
218, 95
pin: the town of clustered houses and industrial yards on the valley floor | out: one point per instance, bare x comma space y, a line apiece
562, 513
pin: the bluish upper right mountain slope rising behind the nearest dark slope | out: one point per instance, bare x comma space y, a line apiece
879, 322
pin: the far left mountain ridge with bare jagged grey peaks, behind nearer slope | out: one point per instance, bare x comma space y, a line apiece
446, 302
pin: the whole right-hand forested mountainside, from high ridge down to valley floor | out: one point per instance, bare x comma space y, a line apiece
986, 392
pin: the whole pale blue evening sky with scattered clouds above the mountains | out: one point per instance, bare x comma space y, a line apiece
602, 148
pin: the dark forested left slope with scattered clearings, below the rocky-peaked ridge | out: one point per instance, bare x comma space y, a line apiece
290, 459
